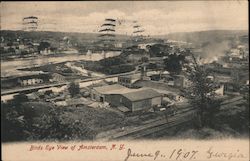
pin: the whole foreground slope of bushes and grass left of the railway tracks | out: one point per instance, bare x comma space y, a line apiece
22, 120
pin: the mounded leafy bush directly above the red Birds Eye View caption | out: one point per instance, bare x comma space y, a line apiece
56, 126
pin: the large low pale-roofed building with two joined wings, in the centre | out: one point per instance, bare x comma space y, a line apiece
127, 99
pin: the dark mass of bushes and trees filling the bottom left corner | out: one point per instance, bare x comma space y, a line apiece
19, 124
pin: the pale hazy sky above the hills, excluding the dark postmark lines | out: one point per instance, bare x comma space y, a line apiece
160, 17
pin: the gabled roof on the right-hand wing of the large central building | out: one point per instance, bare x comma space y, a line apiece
141, 94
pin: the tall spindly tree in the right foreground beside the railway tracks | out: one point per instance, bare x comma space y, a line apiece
201, 94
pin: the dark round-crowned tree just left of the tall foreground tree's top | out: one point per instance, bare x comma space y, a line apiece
173, 63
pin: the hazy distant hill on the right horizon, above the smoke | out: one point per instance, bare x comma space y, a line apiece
204, 36
